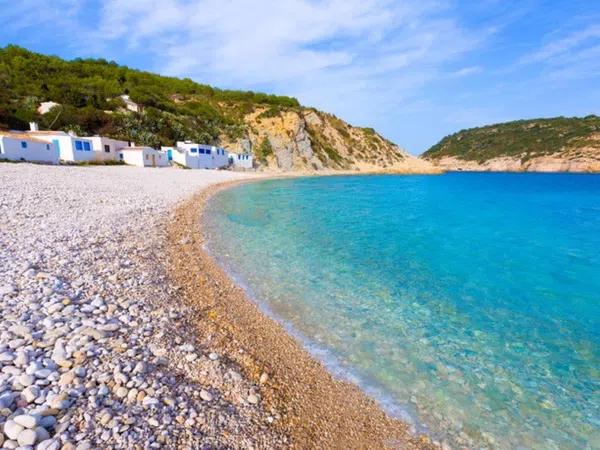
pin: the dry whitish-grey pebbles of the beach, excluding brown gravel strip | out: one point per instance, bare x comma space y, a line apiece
95, 350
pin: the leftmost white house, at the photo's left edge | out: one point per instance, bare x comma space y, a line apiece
20, 146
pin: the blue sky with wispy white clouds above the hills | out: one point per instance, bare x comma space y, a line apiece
415, 70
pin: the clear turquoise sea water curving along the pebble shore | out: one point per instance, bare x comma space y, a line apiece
469, 303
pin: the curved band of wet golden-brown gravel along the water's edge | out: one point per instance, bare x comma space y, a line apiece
310, 406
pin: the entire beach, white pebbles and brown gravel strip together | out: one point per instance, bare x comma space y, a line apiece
119, 331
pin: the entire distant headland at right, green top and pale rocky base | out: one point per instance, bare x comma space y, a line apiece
557, 144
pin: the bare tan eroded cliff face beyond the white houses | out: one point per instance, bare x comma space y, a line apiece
309, 140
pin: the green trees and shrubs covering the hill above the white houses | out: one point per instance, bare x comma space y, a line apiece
88, 92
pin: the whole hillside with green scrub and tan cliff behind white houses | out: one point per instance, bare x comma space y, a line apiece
282, 134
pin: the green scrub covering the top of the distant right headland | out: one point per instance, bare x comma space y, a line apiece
523, 139
